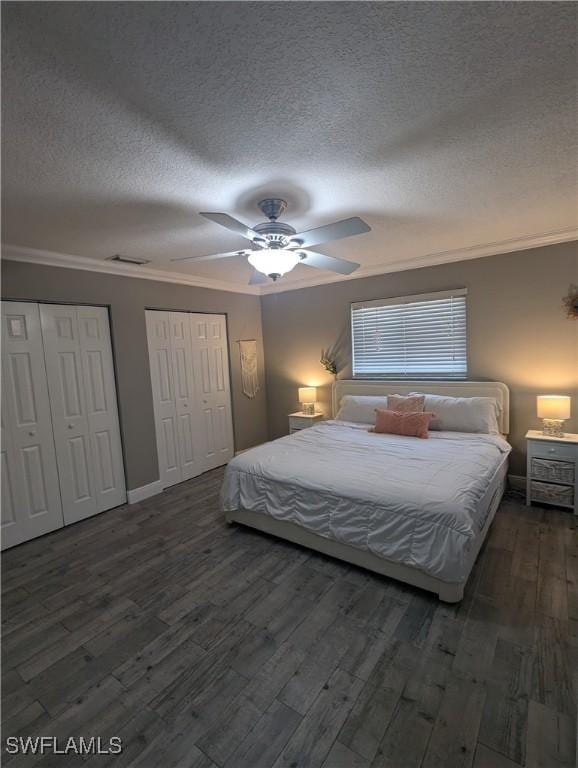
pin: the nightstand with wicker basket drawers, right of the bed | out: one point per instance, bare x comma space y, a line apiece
552, 470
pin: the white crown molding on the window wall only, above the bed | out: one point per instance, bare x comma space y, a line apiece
522, 243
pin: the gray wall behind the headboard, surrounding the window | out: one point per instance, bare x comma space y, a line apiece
517, 331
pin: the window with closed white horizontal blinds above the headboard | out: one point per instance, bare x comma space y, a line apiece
412, 337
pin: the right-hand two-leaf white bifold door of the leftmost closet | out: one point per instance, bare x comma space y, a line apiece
84, 410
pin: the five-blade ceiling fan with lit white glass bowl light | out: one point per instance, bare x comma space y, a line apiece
276, 247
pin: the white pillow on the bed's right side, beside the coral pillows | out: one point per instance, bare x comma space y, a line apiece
463, 414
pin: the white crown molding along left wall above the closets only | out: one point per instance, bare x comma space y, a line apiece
68, 261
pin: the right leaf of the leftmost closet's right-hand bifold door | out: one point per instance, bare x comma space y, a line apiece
101, 406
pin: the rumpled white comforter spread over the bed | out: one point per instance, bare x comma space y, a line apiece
413, 501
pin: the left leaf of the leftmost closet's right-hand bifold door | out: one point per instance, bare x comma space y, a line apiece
63, 357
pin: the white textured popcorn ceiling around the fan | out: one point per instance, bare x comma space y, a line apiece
444, 125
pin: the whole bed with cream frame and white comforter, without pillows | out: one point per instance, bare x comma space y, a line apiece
415, 510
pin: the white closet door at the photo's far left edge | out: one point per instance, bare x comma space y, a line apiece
30, 493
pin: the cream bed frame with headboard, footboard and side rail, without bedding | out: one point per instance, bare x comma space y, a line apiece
450, 592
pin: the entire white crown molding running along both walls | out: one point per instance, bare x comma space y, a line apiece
68, 261
